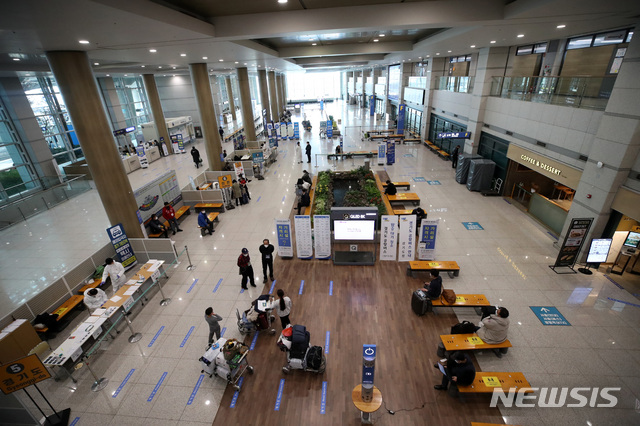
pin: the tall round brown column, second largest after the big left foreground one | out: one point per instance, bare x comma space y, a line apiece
204, 98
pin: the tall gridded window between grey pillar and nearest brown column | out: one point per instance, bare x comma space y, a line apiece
52, 116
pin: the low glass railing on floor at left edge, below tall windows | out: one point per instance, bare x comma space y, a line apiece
38, 196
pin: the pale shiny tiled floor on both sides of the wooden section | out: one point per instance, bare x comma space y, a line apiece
507, 261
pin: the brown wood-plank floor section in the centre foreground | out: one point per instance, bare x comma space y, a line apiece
369, 305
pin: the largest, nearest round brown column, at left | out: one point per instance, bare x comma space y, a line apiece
84, 104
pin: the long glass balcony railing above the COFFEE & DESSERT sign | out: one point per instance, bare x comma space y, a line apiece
576, 92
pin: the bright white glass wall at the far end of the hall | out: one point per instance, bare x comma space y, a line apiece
312, 86
